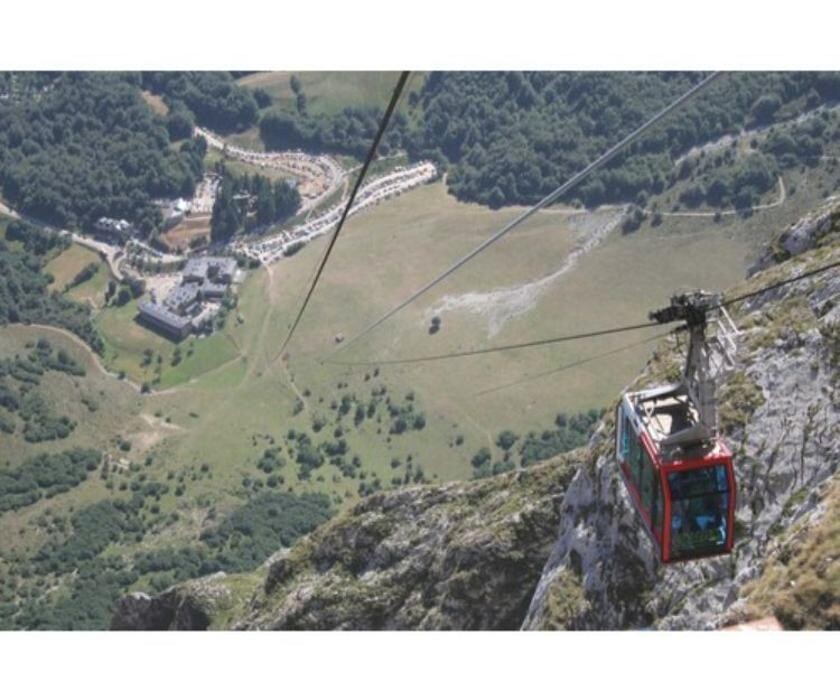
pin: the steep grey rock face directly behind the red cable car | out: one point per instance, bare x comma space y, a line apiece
780, 414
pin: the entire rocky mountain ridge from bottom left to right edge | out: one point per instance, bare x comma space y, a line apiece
559, 546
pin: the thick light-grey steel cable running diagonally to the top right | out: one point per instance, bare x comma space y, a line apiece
545, 201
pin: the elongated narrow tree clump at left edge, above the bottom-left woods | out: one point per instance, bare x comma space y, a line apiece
44, 476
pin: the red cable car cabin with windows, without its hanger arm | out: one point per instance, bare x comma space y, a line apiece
685, 493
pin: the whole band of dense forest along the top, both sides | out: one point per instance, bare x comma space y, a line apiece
78, 146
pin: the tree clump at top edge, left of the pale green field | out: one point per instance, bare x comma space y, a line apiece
211, 98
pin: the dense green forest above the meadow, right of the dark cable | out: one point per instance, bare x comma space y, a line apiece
512, 137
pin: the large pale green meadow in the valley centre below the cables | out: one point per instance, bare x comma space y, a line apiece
238, 387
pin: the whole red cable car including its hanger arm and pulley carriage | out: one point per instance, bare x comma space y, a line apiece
675, 465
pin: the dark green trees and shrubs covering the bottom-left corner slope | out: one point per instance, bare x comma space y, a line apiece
78, 544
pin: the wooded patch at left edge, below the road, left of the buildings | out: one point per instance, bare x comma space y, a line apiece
24, 297
